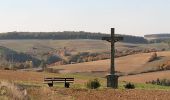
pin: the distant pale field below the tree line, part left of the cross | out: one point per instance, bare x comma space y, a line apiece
78, 45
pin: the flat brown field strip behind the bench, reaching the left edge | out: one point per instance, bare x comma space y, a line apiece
34, 77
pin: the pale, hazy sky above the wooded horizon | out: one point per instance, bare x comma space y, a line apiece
131, 17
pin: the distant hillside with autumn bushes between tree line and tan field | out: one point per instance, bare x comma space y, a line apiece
59, 52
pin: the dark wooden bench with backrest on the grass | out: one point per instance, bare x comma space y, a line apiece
50, 81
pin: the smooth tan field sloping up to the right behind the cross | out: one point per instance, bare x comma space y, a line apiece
127, 64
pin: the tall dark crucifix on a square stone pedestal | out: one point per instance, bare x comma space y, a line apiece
112, 78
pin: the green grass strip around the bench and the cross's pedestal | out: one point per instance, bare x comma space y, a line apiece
103, 82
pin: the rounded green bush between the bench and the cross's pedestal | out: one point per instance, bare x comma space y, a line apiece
93, 84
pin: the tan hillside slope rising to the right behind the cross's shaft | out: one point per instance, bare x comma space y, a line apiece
131, 64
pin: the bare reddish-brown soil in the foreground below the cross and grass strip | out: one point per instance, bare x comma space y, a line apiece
110, 94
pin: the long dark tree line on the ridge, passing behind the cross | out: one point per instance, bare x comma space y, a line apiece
67, 35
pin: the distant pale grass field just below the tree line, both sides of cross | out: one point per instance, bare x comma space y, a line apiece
78, 45
